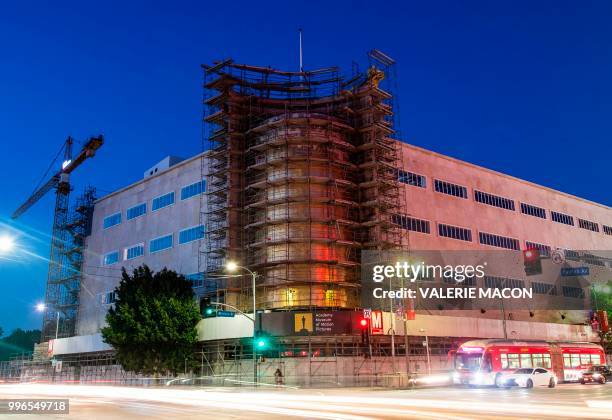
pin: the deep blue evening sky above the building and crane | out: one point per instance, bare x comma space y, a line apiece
523, 88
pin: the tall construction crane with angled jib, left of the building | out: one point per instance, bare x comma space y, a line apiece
63, 281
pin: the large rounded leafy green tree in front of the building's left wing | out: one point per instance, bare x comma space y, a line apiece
152, 325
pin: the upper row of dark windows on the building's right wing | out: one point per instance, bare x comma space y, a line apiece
460, 191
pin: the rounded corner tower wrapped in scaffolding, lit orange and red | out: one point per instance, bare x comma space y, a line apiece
302, 176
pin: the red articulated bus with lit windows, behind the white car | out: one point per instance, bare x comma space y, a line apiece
481, 362
